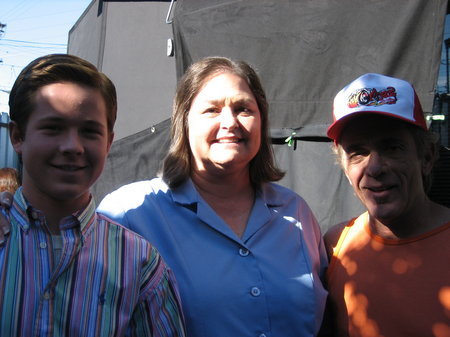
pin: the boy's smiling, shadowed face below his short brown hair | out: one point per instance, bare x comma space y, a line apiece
65, 144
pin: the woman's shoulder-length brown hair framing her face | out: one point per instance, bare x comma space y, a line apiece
177, 163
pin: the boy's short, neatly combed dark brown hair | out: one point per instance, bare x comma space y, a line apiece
56, 68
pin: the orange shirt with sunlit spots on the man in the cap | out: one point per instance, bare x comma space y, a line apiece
390, 288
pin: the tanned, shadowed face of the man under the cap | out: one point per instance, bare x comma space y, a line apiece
381, 162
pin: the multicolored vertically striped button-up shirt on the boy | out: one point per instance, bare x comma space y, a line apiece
108, 281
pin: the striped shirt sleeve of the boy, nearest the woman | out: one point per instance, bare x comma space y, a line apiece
158, 312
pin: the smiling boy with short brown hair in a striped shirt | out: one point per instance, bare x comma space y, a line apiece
64, 269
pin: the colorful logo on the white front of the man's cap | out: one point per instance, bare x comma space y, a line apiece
372, 97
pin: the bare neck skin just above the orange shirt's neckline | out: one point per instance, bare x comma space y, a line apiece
423, 219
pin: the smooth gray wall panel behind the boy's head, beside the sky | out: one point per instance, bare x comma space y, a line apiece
128, 42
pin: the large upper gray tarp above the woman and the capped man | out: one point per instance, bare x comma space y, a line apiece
306, 51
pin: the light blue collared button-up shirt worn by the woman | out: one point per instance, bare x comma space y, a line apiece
267, 283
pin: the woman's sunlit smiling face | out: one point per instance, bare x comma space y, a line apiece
224, 124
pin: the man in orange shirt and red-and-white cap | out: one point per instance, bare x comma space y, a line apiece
389, 272
